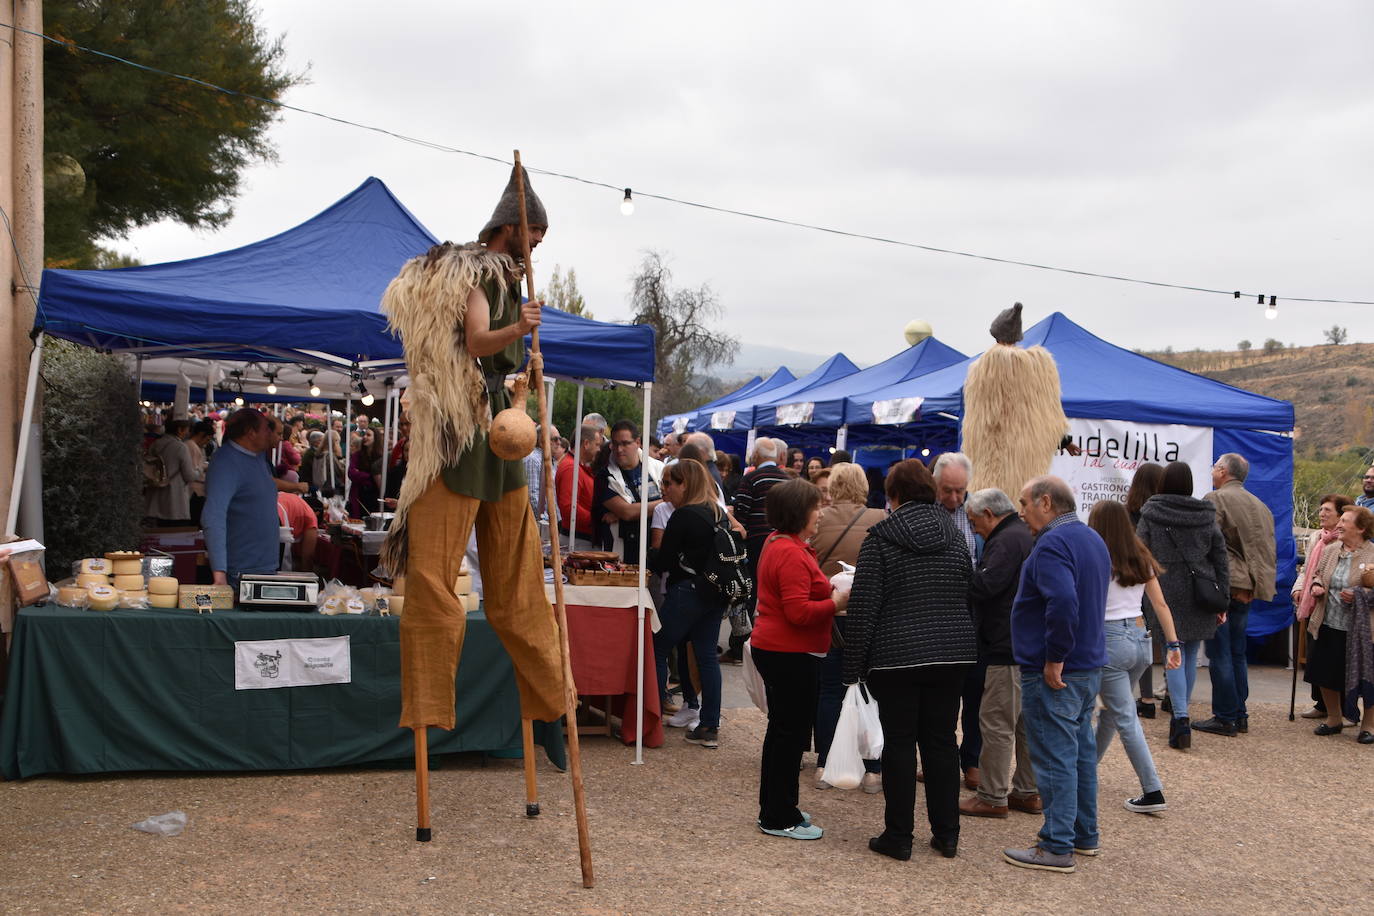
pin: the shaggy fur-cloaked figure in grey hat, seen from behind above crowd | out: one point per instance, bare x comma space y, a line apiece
1013, 420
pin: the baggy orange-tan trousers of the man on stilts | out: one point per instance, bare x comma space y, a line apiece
513, 590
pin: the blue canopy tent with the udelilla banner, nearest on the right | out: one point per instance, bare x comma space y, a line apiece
1103, 381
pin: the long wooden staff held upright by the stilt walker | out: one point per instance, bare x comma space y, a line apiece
537, 367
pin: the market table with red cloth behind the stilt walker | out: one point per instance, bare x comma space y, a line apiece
601, 639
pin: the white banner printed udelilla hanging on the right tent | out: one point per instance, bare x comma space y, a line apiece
1114, 450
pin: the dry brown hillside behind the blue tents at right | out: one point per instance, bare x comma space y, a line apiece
1332, 388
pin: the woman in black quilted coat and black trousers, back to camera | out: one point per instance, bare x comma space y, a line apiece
910, 637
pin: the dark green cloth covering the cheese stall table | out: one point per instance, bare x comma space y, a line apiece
155, 690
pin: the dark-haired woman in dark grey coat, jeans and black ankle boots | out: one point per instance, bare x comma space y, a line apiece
1180, 531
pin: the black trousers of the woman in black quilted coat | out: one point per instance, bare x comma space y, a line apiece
920, 707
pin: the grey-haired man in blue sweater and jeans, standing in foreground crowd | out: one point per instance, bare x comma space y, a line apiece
1059, 641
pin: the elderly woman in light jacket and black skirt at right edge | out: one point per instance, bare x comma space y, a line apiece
1336, 623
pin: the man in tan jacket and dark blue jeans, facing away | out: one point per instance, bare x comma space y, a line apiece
1248, 528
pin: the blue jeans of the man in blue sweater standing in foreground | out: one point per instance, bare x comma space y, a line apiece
1066, 756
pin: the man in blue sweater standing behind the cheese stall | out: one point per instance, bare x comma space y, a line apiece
240, 516
